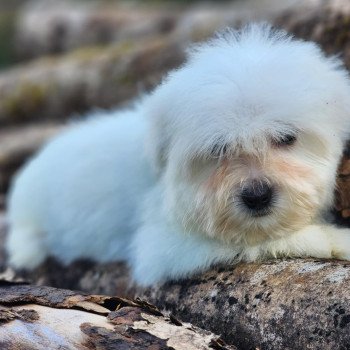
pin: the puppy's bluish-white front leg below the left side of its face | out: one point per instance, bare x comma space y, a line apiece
160, 252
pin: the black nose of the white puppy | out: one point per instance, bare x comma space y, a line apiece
257, 196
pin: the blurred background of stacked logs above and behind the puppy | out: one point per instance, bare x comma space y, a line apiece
61, 59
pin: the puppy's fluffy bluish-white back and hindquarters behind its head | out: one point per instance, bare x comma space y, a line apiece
79, 195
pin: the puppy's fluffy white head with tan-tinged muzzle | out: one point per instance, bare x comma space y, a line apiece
247, 135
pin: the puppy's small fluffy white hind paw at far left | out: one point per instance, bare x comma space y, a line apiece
26, 247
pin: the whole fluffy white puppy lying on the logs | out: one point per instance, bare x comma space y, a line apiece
242, 148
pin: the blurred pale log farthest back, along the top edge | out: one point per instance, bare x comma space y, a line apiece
49, 28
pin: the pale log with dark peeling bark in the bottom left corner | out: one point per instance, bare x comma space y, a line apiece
48, 318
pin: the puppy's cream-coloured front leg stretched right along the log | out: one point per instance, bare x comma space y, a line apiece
319, 241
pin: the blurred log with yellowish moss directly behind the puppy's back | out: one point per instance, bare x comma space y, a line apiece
98, 77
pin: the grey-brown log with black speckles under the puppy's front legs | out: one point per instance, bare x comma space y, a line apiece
284, 304
